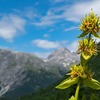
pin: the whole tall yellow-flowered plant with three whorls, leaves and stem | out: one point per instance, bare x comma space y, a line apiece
80, 74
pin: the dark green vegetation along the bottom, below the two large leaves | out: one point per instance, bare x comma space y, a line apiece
51, 93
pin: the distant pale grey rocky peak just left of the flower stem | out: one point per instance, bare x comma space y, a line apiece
63, 57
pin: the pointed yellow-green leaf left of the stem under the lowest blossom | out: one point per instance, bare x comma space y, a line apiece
67, 83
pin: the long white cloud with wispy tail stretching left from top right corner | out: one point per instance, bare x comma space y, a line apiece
69, 12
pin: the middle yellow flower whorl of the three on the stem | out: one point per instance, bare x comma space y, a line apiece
87, 48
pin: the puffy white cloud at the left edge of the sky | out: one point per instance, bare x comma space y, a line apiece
10, 26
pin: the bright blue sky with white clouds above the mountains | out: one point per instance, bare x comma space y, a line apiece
41, 26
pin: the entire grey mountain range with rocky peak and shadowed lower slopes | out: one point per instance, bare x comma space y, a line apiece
23, 73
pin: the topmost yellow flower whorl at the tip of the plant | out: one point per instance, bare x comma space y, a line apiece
90, 24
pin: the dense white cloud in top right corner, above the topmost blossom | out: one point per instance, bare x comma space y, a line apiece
76, 11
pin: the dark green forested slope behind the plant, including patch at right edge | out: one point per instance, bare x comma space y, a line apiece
85, 93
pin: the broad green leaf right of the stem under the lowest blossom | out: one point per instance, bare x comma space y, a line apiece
92, 83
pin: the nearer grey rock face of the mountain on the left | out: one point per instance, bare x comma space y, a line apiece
14, 68
